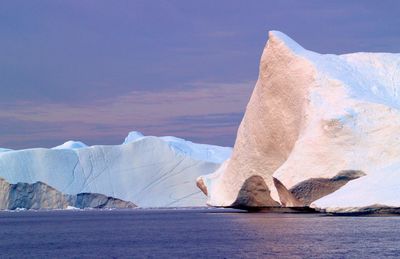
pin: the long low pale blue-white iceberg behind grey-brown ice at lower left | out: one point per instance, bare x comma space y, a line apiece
147, 171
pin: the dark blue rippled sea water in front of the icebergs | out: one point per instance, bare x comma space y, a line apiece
193, 234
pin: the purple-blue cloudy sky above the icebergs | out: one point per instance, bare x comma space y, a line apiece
95, 70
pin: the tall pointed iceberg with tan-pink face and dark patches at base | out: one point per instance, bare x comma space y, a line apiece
319, 130
